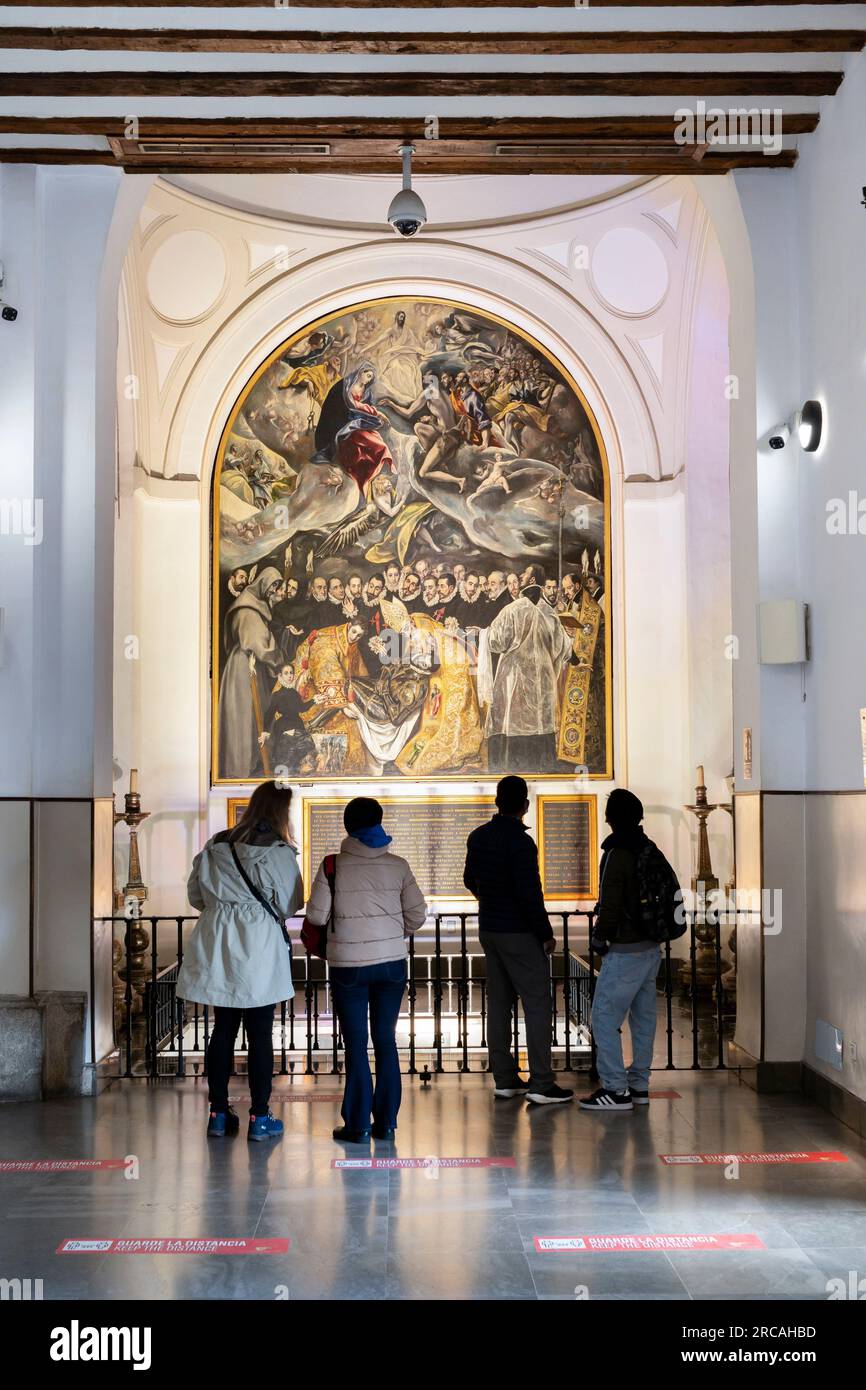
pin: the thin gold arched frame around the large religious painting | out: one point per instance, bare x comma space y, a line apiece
607, 774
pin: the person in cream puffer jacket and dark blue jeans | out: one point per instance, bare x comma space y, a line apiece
370, 903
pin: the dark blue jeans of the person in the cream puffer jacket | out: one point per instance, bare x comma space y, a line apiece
377, 990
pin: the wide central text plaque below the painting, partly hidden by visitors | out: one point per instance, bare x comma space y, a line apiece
430, 835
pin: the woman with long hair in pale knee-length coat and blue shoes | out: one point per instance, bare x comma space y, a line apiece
238, 960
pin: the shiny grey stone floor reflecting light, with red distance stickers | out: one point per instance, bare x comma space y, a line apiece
436, 1232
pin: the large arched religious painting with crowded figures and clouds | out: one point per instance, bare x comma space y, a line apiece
411, 557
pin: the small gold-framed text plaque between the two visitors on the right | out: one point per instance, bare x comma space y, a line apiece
568, 847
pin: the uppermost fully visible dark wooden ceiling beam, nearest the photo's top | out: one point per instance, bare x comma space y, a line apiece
402, 45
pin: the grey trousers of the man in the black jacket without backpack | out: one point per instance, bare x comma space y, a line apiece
518, 968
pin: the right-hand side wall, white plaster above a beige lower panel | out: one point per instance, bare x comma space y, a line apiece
807, 238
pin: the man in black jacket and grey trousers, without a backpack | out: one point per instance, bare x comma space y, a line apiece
515, 932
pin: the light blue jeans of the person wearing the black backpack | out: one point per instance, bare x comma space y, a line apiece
626, 989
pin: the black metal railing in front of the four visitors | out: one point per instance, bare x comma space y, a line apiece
443, 1025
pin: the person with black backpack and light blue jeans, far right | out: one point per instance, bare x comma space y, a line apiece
637, 911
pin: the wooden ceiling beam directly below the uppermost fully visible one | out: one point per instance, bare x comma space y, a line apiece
437, 85
